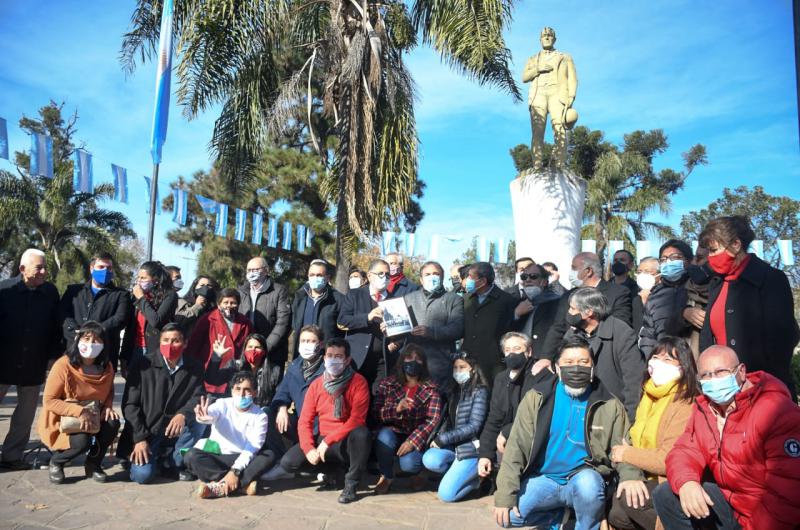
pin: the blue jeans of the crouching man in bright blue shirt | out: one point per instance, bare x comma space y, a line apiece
542, 500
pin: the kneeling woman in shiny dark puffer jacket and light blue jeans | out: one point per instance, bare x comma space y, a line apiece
454, 451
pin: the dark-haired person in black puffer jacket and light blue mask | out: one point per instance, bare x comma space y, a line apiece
661, 315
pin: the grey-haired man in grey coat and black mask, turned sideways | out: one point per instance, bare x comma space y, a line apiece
619, 363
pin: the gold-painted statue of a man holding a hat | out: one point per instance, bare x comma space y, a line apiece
553, 86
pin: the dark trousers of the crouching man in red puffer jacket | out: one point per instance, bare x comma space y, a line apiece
668, 507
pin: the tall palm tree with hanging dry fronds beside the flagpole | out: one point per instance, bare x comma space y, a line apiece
334, 66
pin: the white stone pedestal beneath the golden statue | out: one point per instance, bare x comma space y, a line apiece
548, 214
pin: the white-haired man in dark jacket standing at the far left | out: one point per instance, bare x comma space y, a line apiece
30, 335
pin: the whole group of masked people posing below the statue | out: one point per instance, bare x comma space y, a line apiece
662, 398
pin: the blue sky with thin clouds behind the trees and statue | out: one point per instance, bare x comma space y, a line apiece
718, 73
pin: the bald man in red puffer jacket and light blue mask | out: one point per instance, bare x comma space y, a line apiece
744, 431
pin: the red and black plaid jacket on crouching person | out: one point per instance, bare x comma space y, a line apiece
419, 421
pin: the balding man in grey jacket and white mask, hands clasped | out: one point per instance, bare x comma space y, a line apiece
266, 304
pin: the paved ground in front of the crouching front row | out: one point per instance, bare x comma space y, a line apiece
28, 500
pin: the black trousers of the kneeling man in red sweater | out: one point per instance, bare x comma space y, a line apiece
351, 453
